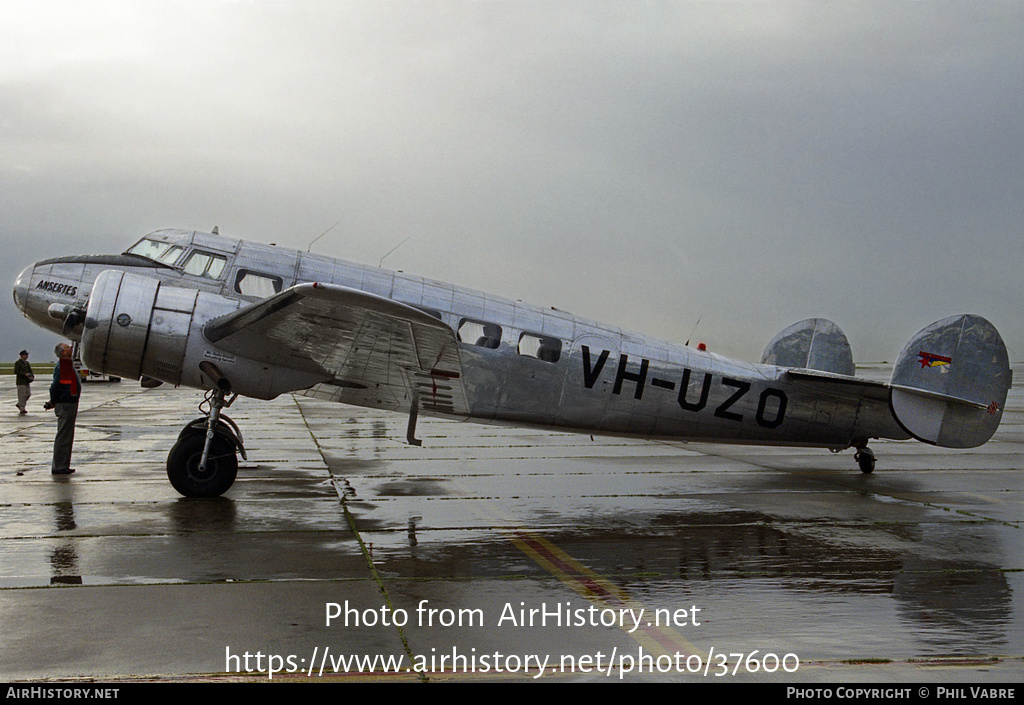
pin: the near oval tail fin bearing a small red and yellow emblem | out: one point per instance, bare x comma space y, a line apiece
950, 385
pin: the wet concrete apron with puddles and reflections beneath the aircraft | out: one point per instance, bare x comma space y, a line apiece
783, 551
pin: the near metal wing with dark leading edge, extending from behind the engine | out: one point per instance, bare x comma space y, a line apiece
368, 347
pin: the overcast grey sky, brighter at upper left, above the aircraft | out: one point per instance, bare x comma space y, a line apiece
650, 164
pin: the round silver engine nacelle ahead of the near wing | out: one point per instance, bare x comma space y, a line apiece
140, 326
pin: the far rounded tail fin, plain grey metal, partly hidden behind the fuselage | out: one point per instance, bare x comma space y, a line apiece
813, 345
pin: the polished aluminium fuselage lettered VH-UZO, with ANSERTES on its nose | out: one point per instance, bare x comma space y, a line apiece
605, 381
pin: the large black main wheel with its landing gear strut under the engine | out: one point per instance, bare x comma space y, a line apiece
203, 463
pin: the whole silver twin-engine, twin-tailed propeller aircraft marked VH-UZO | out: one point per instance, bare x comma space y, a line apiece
235, 318
